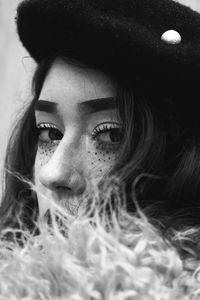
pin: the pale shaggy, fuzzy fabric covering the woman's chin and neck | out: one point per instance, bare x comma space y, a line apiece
123, 258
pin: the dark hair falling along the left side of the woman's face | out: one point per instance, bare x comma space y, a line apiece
19, 206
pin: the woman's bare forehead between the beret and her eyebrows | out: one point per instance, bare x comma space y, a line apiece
76, 83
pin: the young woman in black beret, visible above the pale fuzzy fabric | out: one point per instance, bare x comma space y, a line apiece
113, 94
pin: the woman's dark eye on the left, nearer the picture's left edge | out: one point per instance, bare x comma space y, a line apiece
48, 133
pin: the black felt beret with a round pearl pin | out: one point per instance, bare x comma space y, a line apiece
123, 38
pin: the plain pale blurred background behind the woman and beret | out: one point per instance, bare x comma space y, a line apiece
16, 68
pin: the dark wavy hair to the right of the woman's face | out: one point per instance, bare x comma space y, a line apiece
159, 160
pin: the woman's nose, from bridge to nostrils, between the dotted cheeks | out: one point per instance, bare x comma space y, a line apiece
63, 173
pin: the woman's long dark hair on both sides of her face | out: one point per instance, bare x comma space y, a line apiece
156, 158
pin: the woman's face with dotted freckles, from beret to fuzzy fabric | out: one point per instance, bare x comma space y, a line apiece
79, 133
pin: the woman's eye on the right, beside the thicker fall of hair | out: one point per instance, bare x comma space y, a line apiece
108, 135
